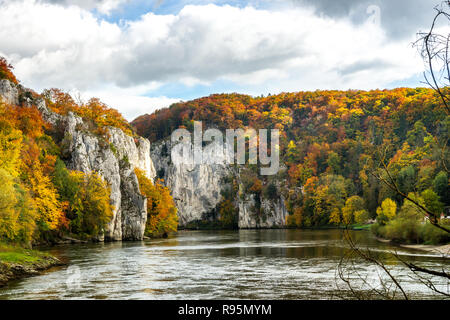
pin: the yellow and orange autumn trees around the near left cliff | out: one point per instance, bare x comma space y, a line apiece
40, 199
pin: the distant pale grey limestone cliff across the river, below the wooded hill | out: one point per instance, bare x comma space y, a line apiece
197, 191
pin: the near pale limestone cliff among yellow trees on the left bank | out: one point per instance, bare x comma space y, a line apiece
114, 159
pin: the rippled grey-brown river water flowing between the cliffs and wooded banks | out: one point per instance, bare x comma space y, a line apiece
244, 264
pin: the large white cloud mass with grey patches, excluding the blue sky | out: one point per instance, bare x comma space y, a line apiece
265, 51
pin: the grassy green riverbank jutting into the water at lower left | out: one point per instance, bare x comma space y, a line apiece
17, 263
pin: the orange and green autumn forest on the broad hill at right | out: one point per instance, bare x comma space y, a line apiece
332, 143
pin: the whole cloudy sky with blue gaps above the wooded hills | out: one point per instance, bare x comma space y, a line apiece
140, 55
